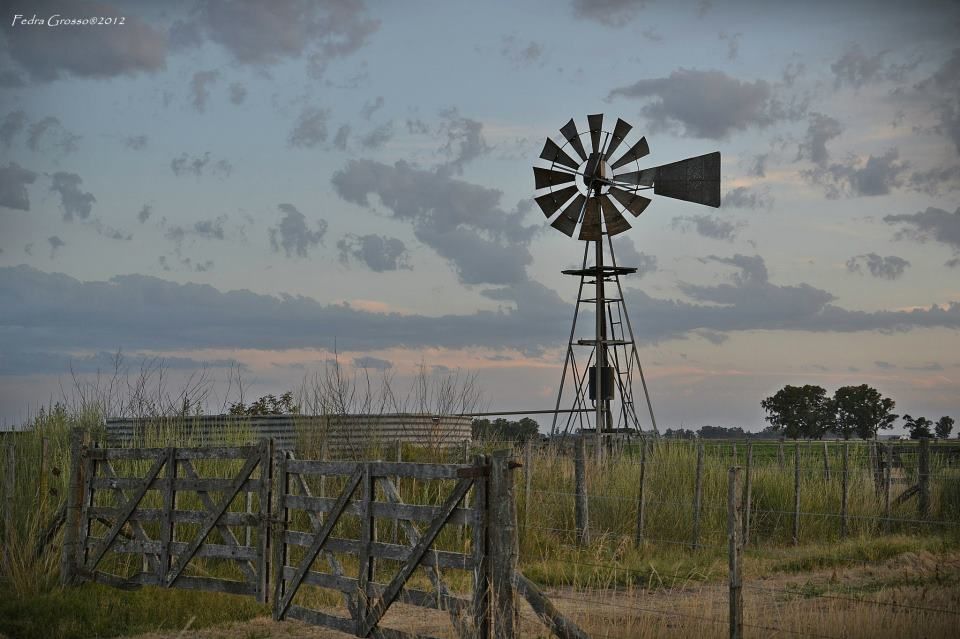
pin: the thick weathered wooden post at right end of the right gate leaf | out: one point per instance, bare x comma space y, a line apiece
503, 544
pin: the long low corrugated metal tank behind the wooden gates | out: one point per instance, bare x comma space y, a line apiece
343, 433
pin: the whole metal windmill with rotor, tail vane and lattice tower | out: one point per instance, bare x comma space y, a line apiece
585, 195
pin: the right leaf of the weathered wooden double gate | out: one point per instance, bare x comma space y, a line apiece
364, 528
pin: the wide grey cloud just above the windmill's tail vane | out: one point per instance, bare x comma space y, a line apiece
707, 104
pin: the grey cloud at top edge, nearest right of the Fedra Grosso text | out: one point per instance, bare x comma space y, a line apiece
265, 34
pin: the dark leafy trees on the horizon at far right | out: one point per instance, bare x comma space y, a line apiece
853, 411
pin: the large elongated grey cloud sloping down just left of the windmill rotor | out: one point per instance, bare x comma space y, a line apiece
462, 222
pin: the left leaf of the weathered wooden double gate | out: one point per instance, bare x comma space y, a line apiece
195, 518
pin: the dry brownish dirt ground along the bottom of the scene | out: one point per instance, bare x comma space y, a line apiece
913, 595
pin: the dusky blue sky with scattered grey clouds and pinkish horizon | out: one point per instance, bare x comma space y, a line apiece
267, 187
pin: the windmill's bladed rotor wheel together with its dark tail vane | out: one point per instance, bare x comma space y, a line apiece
587, 185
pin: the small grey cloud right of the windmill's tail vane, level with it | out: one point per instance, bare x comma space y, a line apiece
854, 177
